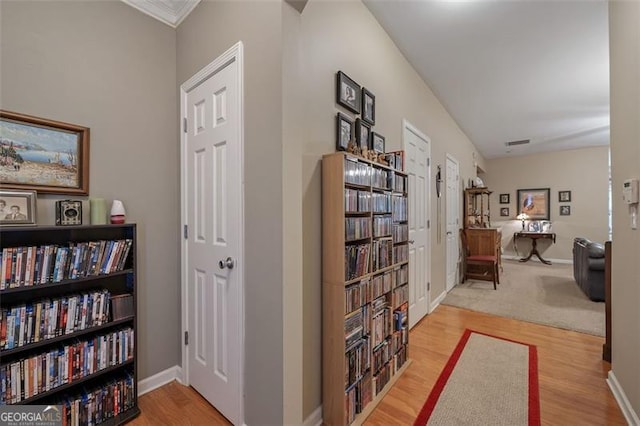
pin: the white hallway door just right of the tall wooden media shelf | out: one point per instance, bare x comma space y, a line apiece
417, 151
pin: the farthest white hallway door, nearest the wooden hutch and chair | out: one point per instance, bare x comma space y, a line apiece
452, 214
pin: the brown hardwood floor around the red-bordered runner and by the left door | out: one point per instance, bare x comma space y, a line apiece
572, 376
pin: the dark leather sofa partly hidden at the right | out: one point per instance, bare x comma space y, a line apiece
588, 268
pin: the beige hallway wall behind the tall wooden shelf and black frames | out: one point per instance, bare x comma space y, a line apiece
345, 36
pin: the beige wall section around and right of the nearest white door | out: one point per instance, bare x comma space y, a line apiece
212, 28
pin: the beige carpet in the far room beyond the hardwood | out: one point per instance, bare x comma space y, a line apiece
531, 291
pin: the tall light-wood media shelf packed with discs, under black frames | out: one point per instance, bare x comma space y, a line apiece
364, 286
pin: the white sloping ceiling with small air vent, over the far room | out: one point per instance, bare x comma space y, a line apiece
511, 70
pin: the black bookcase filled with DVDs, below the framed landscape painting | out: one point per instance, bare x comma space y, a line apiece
68, 334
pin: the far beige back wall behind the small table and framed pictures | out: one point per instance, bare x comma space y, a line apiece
584, 172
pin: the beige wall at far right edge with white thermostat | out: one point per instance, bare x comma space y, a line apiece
624, 48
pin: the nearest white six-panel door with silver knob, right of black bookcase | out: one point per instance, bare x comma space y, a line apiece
212, 211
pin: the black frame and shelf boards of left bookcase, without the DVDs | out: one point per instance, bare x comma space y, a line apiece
120, 282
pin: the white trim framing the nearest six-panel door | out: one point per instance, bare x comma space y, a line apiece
235, 53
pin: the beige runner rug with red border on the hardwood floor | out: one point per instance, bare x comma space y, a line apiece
487, 381
